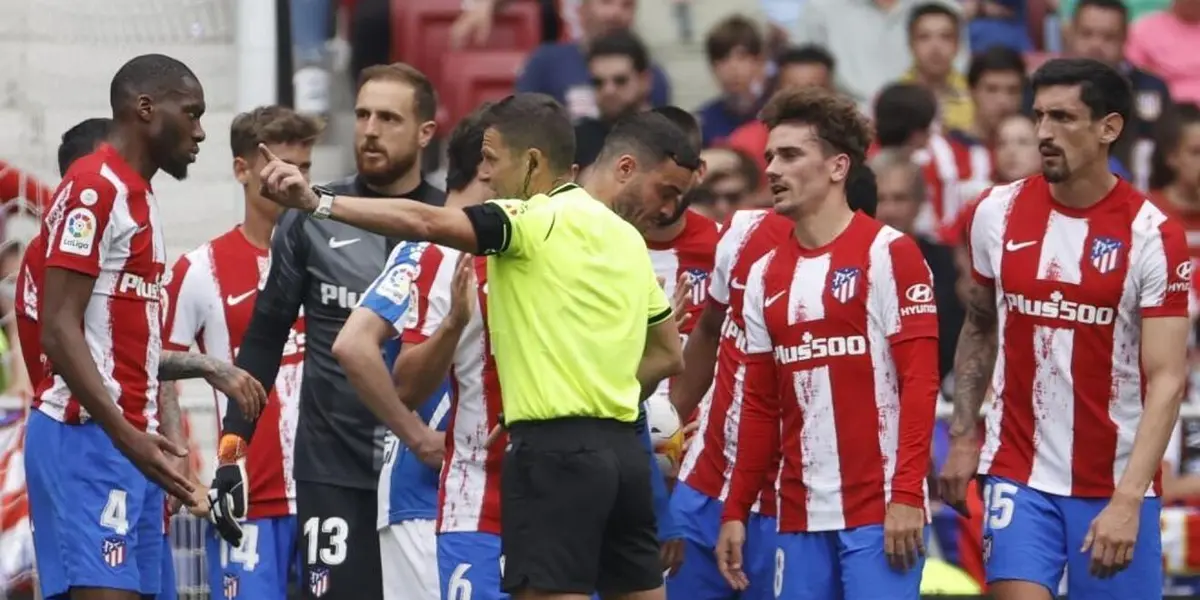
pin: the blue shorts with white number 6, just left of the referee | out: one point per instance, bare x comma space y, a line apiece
470, 566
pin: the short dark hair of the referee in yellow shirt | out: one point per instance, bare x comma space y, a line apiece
537, 121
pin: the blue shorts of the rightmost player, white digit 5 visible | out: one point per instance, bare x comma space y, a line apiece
1033, 536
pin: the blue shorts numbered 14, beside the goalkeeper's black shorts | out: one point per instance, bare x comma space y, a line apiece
262, 567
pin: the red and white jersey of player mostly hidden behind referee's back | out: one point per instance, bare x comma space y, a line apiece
689, 255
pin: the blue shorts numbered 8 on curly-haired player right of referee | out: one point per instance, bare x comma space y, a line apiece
848, 565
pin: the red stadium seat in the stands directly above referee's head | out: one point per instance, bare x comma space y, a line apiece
477, 76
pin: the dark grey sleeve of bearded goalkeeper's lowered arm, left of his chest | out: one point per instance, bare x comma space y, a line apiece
275, 311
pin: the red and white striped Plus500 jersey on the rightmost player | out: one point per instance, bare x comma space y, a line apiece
1072, 290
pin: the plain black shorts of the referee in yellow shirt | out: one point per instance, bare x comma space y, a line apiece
579, 509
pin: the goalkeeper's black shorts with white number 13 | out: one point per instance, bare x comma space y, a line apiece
344, 562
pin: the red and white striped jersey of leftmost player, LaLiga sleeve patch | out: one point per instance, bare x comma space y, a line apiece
105, 225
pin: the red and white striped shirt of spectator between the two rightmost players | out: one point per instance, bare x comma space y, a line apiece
957, 173
